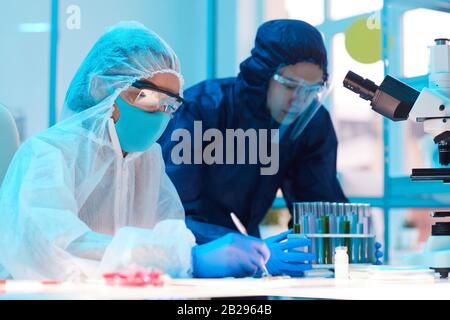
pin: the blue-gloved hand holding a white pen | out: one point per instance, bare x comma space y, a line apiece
232, 255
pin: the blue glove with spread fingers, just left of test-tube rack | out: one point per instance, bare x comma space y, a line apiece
291, 263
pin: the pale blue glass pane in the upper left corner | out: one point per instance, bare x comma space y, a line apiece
24, 75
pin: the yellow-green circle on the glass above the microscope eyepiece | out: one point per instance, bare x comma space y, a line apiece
363, 41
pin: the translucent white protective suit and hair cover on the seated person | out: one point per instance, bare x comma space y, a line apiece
71, 206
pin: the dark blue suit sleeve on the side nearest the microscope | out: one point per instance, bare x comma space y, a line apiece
313, 175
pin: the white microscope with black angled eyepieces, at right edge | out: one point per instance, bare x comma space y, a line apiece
431, 106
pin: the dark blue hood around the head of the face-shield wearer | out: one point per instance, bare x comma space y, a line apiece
278, 42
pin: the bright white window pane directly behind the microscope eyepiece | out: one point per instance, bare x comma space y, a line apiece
358, 127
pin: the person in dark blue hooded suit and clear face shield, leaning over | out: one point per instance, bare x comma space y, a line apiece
278, 92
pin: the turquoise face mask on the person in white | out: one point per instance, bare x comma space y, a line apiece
138, 129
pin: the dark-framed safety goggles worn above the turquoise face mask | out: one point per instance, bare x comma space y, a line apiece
152, 98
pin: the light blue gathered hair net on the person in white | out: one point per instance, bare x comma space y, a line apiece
126, 53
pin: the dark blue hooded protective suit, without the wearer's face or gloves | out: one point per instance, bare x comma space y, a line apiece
307, 166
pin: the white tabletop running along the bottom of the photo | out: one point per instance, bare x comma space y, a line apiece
316, 288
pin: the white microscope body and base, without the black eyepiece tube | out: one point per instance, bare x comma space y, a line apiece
432, 108
